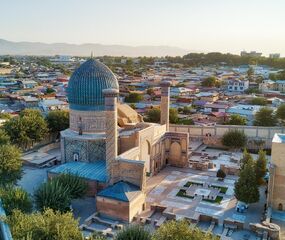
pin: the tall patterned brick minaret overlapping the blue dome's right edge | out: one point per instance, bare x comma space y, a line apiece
111, 97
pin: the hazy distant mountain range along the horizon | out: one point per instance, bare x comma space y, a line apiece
45, 49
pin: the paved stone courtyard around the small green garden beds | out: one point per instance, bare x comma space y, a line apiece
163, 189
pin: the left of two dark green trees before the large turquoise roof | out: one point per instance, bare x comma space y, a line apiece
53, 195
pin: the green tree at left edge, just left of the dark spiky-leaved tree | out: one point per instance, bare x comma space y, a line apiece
15, 198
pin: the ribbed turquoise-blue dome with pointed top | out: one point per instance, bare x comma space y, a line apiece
86, 84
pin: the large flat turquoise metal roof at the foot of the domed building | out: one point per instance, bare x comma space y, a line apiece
91, 171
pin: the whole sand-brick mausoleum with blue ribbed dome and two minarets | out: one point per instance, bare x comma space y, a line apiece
110, 146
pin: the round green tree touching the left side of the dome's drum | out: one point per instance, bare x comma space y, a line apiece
57, 120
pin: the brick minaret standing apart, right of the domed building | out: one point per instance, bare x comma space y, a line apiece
164, 104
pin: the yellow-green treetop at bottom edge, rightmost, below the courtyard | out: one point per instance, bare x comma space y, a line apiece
177, 230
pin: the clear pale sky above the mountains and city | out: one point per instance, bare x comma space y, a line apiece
201, 25
